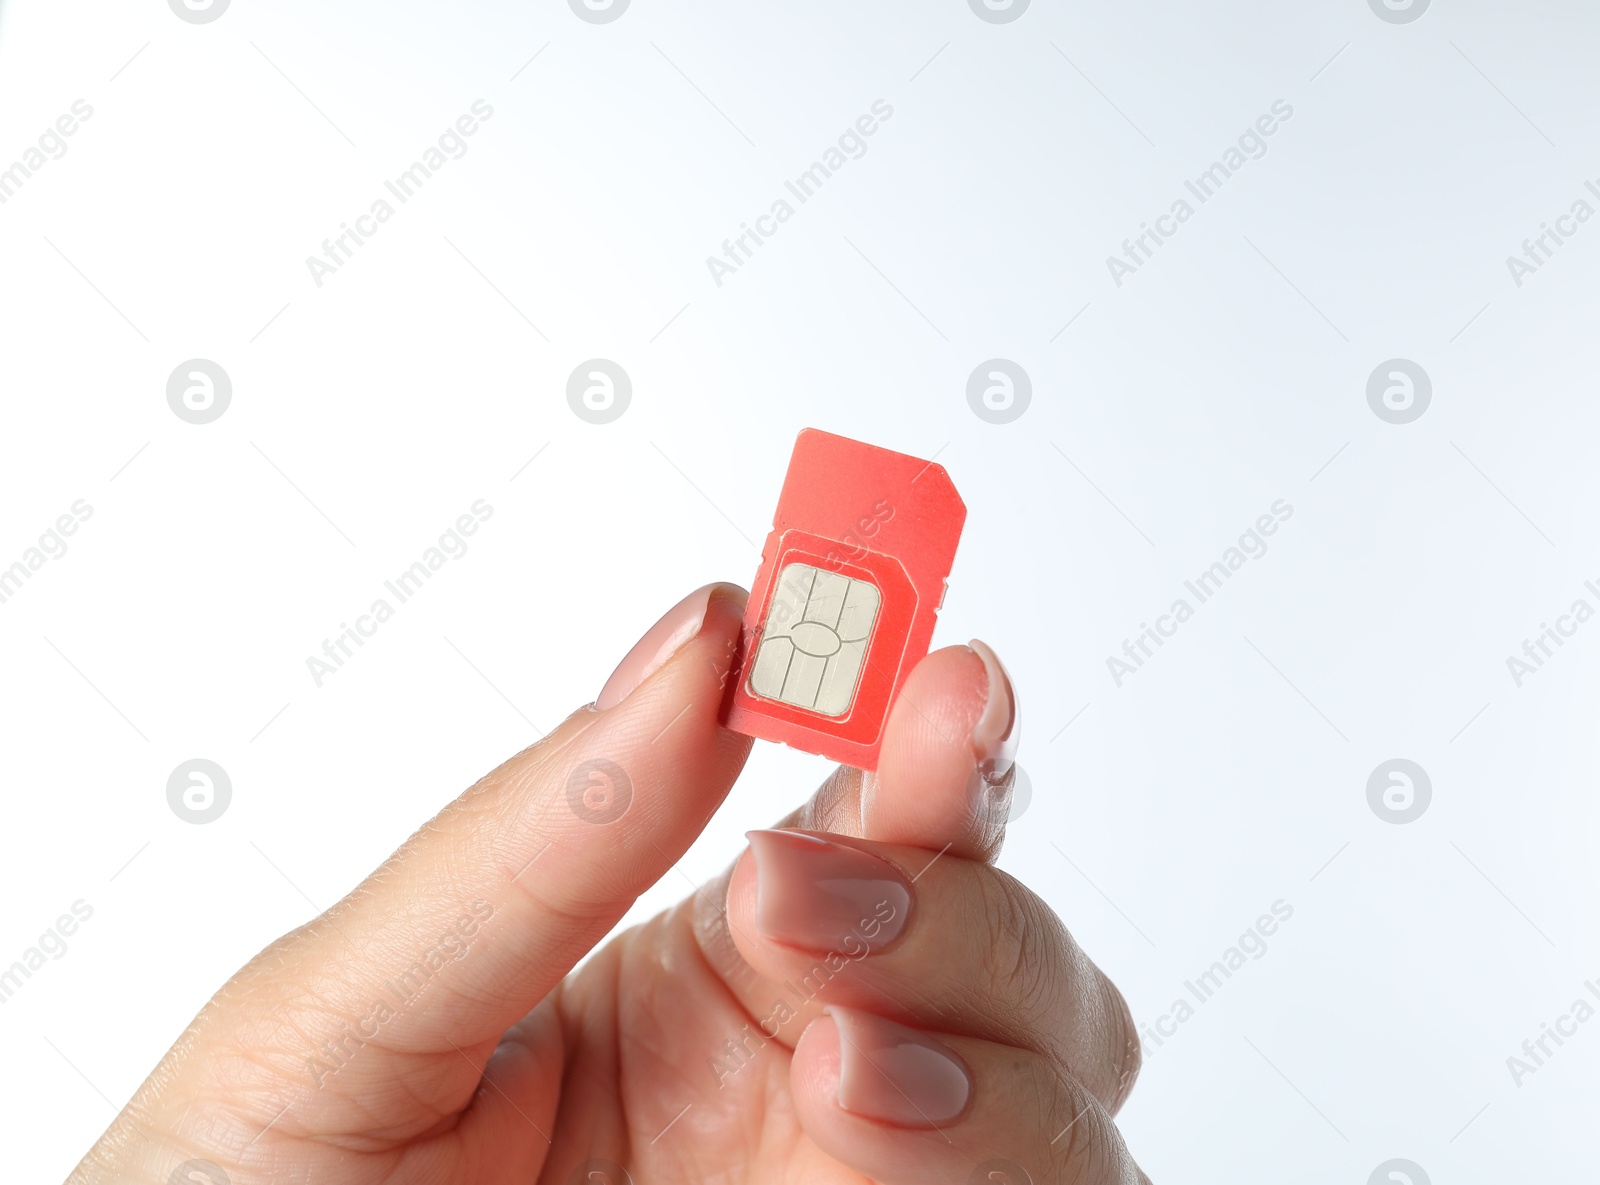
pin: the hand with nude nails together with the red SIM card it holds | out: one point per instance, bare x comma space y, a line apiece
774, 999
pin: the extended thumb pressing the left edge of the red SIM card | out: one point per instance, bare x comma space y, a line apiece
487, 908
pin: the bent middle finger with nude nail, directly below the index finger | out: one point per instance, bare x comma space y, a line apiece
935, 943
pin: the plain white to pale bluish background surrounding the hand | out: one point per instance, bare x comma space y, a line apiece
372, 412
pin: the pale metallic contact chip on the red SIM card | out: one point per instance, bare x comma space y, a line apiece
815, 640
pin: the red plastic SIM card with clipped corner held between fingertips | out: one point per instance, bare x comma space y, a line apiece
844, 604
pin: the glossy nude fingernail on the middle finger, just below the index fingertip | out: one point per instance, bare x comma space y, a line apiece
823, 896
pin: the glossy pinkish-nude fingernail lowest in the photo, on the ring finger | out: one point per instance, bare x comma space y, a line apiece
897, 1075
